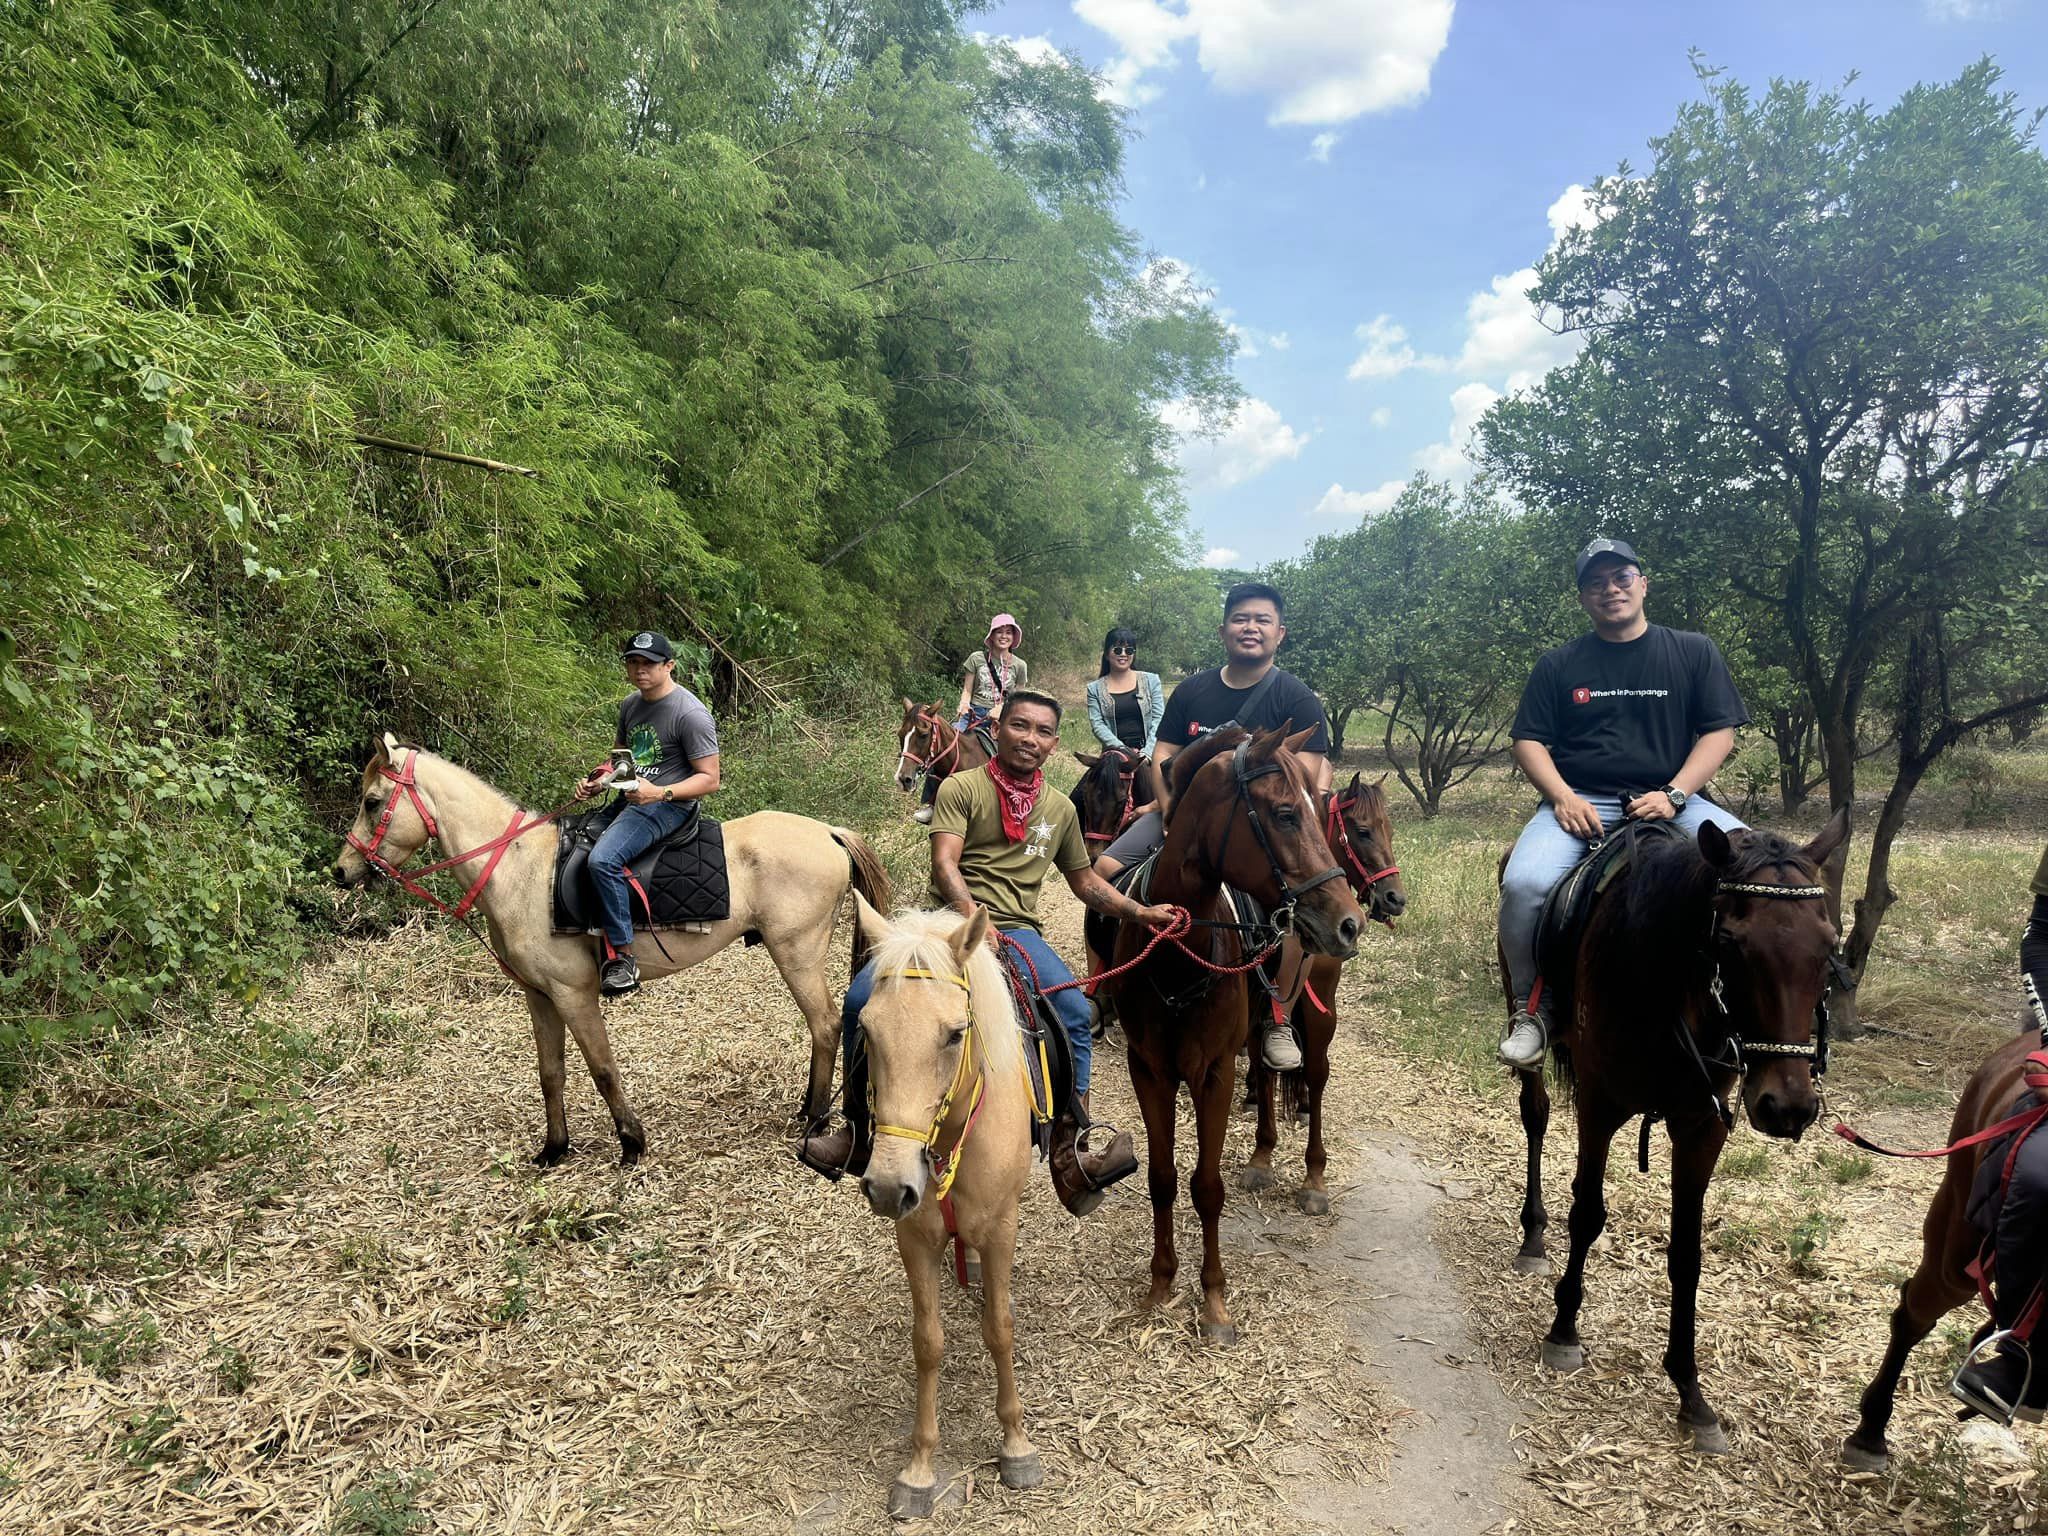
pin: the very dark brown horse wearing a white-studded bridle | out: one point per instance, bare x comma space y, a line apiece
1703, 968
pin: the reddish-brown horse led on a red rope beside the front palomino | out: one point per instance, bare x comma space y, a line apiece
1244, 816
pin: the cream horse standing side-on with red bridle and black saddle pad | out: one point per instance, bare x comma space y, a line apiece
787, 876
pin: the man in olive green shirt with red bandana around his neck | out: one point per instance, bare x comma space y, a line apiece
996, 835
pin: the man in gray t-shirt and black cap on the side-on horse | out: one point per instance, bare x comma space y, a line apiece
677, 751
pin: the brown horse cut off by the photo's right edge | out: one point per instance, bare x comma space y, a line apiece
1949, 1244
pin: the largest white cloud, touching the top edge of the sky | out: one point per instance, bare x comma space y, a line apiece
1316, 62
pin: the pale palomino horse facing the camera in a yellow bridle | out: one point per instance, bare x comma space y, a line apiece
953, 1152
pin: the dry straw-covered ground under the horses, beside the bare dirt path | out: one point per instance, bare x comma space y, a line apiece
384, 1320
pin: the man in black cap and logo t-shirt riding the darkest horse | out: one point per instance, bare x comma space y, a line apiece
1623, 724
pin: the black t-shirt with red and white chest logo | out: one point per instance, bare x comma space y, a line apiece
1621, 718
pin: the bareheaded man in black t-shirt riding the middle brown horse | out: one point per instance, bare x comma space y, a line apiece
1254, 693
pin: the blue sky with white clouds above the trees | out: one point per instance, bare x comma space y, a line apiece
1363, 185
